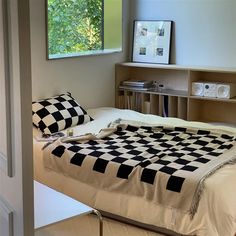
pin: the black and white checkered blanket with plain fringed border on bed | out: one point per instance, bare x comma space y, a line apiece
166, 165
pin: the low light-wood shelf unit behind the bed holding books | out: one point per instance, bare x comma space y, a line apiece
176, 97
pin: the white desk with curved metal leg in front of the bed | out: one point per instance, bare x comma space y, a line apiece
52, 207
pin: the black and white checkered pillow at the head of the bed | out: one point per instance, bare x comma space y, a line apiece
57, 113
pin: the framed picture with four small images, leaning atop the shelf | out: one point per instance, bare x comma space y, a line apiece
151, 41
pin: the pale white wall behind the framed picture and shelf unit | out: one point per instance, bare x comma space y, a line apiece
204, 31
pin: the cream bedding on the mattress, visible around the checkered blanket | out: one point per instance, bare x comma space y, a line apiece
216, 214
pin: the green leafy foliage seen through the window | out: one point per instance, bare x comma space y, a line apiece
74, 26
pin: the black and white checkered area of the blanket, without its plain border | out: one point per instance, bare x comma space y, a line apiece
157, 151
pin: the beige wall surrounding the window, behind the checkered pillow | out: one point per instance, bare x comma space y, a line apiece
90, 79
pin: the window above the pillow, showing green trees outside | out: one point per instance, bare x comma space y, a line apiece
83, 27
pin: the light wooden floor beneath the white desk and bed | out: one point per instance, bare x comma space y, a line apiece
88, 226
